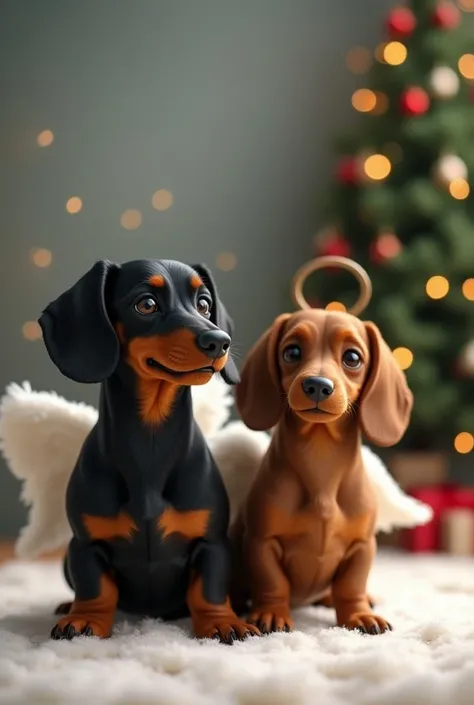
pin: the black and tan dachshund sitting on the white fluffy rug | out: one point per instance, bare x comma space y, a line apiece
146, 503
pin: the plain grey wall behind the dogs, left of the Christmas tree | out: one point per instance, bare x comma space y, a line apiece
229, 104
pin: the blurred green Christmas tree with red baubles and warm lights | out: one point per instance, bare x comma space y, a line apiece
402, 206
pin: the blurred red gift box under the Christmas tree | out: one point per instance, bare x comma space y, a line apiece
428, 538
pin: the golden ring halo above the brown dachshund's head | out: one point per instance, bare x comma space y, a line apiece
333, 261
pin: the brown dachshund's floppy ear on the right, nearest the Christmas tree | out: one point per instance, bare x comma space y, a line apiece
386, 400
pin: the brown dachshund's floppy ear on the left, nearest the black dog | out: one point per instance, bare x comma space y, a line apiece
260, 399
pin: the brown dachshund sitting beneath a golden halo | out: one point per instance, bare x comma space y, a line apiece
306, 529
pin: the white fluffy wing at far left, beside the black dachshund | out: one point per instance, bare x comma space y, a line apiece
41, 435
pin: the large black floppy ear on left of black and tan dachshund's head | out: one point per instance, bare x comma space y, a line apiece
77, 331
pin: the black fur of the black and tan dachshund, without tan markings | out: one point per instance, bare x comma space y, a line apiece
126, 465
